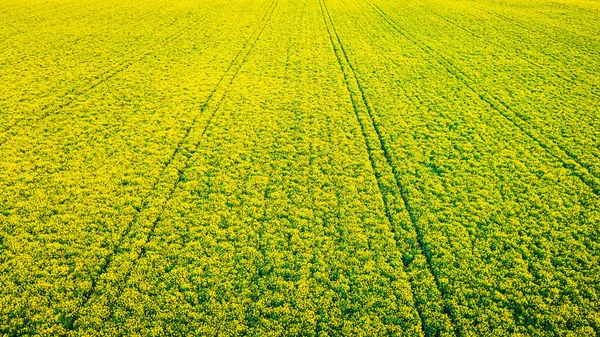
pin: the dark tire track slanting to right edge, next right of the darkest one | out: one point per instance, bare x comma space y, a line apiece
568, 160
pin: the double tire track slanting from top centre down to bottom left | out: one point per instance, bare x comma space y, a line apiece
217, 96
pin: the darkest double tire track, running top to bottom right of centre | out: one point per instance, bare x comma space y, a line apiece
361, 103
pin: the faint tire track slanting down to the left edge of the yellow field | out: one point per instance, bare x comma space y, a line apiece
71, 96
